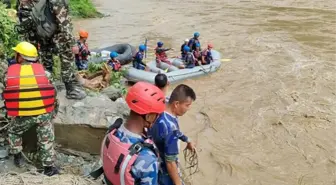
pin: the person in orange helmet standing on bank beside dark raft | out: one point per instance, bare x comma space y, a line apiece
82, 51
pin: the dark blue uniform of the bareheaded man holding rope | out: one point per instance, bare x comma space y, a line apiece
166, 134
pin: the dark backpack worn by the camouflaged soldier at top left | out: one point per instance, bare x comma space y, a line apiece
44, 18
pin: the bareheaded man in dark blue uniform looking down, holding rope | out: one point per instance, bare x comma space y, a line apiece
166, 134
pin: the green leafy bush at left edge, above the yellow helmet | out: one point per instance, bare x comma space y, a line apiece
8, 36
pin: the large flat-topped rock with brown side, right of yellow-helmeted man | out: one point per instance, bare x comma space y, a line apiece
81, 125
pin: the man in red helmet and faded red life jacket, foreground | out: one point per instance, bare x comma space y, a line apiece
128, 156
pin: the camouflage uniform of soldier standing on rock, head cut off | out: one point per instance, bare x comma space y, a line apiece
61, 43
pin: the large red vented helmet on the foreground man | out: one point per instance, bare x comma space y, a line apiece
144, 98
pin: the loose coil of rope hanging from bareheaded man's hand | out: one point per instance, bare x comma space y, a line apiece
191, 160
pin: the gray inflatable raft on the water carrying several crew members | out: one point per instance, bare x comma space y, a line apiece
174, 74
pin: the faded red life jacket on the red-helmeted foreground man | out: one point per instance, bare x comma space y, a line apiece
118, 157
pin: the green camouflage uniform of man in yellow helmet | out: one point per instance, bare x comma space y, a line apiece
44, 130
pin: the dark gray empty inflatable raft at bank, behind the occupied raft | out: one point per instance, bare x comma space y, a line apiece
125, 51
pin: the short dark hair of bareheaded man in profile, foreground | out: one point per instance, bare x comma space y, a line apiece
181, 94
